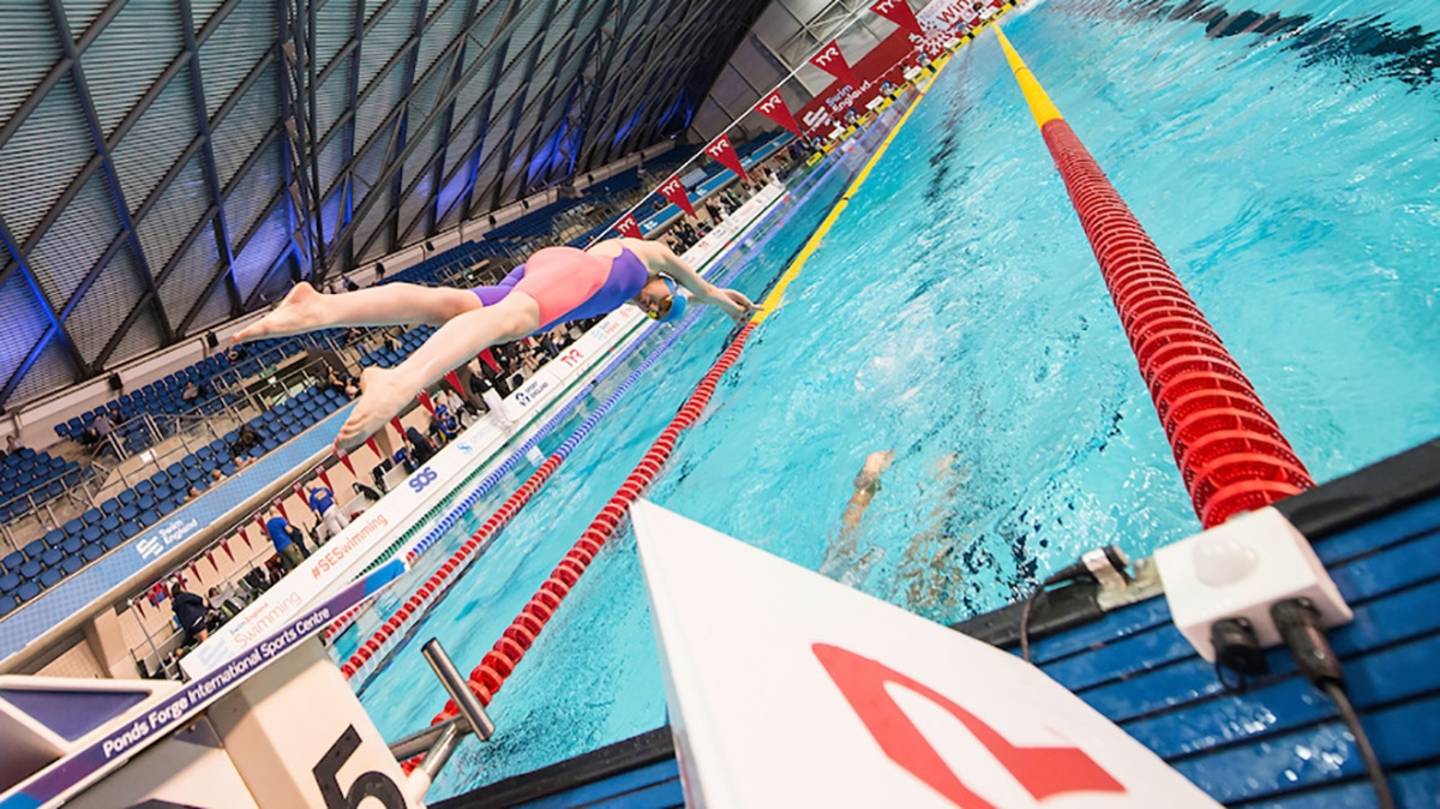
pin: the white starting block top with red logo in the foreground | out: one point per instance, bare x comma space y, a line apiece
787, 689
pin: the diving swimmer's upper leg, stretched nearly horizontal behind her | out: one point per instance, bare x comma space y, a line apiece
390, 304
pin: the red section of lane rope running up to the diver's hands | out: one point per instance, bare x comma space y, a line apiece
487, 679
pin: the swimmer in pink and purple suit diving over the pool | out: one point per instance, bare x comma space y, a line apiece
555, 286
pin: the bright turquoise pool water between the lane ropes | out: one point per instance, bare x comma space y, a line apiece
1290, 169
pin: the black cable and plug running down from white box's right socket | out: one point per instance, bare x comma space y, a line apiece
1300, 625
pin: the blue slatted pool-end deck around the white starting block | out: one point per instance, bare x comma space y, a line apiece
1277, 745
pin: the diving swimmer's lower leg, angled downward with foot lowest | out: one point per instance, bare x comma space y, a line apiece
385, 392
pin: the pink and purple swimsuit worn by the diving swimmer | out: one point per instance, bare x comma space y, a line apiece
571, 284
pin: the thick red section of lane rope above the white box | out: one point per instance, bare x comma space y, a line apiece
1229, 448
